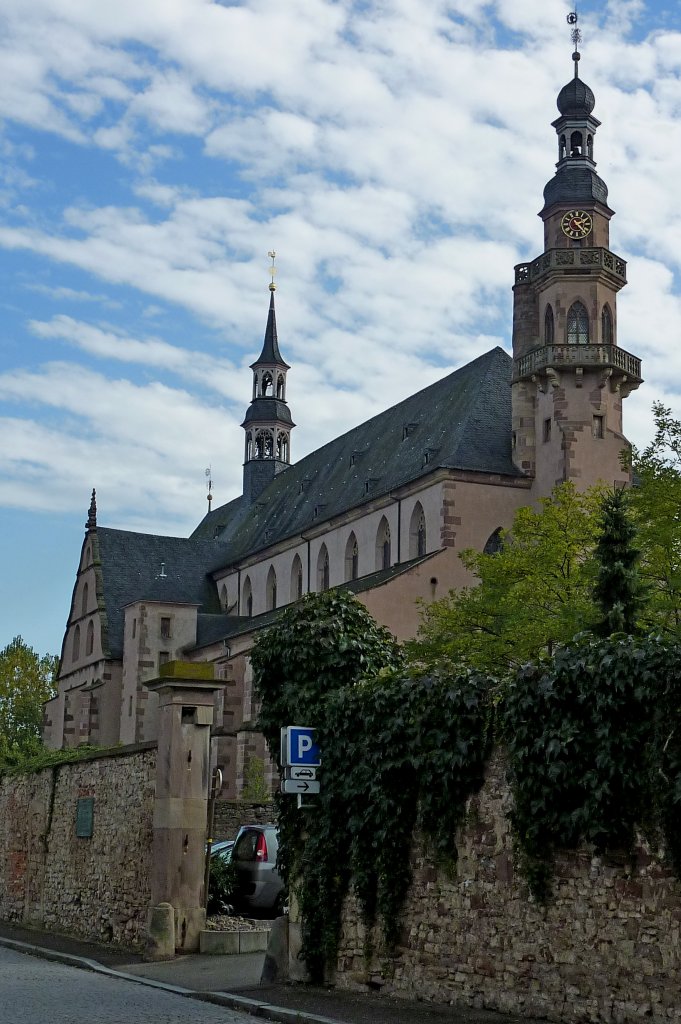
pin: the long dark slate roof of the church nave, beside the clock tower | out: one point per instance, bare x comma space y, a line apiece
460, 422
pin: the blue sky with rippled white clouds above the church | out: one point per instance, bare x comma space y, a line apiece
393, 153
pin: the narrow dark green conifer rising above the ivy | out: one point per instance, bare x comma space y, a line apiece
618, 590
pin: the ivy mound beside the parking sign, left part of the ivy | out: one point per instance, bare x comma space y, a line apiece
397, 750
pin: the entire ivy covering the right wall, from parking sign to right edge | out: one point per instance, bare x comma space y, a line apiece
592, 737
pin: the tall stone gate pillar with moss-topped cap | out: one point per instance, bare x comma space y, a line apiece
186, 714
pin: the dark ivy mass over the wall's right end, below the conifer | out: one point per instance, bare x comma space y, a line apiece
594, 750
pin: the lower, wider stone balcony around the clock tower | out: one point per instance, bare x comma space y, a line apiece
620, 367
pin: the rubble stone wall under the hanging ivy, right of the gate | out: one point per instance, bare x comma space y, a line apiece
605, 949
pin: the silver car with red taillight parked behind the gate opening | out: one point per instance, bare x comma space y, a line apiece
259, 885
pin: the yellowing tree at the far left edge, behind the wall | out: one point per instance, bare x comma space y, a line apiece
27, 680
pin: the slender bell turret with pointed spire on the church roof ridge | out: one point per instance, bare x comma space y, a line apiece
268, 422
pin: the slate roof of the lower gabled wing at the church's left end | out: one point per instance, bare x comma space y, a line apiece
131, 567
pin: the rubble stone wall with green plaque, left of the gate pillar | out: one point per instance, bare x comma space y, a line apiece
98, 888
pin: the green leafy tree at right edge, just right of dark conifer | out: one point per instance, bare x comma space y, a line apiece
656, 504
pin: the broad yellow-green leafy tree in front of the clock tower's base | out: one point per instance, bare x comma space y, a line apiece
534, 593
